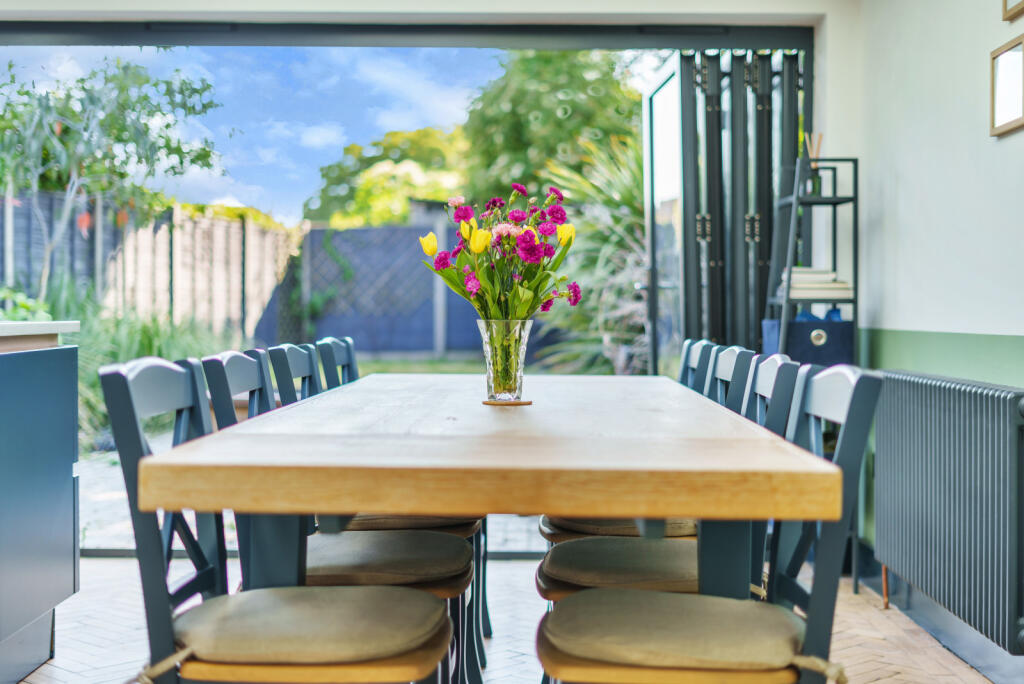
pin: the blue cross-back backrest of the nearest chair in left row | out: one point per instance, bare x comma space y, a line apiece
134, 393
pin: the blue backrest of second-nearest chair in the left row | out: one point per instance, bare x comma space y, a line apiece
232, 373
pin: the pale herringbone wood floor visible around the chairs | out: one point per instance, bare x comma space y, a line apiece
101, 634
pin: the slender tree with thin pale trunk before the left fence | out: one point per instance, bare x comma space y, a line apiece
110, 132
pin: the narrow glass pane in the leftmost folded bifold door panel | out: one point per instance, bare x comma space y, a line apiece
668, 186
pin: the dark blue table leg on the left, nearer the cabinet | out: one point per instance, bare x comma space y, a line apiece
276, 553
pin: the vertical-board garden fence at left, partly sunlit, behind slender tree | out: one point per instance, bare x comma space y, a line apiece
214, 270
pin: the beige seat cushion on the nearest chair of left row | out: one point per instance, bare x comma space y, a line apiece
311, 625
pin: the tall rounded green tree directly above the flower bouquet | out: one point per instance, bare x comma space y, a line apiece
544, 108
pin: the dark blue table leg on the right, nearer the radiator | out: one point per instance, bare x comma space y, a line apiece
724, 559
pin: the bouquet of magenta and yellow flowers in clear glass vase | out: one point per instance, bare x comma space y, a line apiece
505, 265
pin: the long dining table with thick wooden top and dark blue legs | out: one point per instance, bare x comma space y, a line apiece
643, 448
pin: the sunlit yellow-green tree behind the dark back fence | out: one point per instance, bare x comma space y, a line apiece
372, 185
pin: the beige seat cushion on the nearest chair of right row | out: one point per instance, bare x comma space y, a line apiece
662, 630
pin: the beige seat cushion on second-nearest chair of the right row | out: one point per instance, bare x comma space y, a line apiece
669, 566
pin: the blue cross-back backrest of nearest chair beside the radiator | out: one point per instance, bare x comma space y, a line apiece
845, 396
